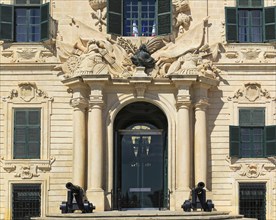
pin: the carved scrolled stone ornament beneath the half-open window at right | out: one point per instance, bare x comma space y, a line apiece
251, 169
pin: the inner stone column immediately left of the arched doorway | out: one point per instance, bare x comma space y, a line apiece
96, 169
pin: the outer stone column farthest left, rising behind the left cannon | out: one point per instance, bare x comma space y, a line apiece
79, 140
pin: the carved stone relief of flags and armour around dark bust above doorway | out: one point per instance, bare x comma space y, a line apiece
120, 56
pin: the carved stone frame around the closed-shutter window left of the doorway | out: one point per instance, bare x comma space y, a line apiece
39, 100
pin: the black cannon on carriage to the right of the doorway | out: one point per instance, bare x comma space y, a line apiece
198, 200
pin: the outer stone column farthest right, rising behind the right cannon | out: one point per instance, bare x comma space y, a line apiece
200, 151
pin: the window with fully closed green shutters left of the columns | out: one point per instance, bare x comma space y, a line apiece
26, 141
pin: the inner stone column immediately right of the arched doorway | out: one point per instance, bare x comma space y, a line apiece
183, 141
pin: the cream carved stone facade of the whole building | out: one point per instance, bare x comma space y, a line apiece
82, 78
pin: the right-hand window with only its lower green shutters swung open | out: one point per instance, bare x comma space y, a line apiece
252, 139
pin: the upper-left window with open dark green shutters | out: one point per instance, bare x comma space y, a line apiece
25, 21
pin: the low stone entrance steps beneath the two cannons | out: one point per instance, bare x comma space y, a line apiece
144, 215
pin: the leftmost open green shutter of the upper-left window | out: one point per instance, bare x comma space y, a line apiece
6, 22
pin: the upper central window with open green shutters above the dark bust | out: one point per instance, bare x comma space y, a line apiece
139, 17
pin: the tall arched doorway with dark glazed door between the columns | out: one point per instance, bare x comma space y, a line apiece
140, 158
